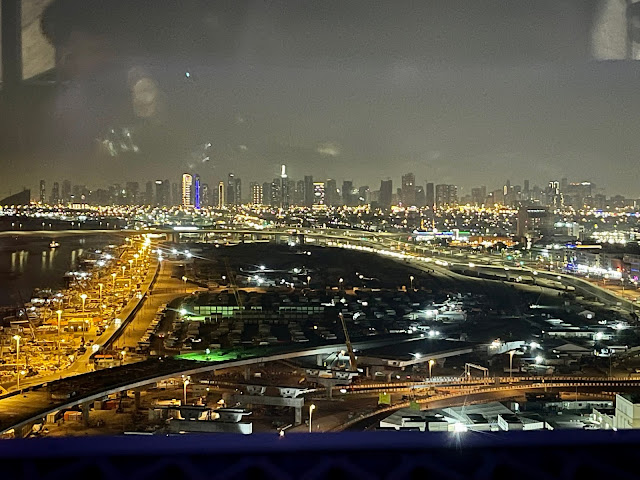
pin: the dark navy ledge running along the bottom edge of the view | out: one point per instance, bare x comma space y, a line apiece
388, 455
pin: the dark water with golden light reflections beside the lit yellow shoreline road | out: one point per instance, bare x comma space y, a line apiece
29, 263
